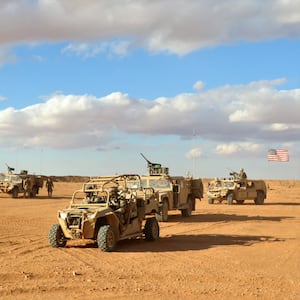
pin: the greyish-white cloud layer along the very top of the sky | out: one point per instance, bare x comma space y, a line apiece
176, 26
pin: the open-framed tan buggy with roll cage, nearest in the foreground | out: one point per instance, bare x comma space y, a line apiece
108, 209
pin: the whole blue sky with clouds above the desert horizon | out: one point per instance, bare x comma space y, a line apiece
199, 86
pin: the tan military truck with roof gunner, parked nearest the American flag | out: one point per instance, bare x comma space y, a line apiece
236, 188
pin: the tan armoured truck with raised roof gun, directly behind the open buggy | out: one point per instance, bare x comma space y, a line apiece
175, 192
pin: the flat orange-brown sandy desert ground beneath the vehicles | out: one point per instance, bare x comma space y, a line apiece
221, 252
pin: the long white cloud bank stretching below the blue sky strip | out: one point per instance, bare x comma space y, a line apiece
227, 115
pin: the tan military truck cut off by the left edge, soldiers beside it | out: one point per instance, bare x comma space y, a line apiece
14, 184
